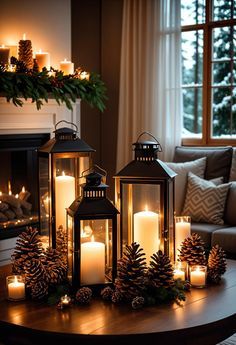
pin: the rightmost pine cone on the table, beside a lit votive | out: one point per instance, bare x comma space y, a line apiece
216, 264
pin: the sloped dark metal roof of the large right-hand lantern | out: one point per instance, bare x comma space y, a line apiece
146, 169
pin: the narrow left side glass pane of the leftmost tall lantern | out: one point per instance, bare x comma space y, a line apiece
44, 199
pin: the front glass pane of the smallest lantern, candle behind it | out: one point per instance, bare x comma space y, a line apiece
96, 251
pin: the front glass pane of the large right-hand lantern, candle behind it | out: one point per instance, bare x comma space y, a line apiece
141, 208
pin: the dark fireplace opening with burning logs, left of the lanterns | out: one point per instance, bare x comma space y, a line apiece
19, 182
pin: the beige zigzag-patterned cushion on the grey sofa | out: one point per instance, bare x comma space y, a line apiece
205, 202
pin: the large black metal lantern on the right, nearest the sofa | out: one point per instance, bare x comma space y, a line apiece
145, 198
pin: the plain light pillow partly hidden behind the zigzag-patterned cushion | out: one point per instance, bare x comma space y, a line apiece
197, 167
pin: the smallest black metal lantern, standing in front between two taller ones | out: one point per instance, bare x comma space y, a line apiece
92, 235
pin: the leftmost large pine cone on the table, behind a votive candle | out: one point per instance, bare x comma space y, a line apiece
28, 247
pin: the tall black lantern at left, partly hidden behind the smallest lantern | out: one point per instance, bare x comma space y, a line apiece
61, 163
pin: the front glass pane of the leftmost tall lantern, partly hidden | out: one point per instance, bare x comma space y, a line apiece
67, 183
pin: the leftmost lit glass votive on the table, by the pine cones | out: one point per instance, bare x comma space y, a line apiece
15, 287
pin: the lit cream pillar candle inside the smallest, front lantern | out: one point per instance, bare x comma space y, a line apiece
92, 263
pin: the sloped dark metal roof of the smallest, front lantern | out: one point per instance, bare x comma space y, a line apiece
92, 207
